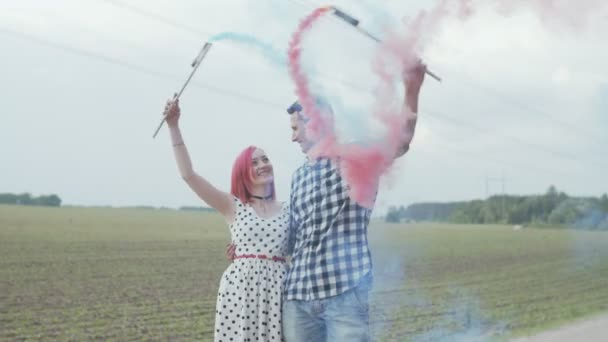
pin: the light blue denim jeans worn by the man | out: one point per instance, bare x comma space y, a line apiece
344, 317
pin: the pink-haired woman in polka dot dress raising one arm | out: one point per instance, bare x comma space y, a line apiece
249, 300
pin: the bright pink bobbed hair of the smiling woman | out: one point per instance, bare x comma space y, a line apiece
242, 176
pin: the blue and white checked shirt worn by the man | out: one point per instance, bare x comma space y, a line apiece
329, 234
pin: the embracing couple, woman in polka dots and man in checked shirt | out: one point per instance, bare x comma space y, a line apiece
321, 294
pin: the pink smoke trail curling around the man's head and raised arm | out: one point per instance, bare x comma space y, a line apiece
362, 166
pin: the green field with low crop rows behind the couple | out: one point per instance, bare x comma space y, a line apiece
127, 274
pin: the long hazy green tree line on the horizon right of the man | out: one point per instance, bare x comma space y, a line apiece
553, 208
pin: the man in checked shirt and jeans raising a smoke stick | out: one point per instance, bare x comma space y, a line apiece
330, 274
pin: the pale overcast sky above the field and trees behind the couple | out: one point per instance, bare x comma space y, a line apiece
83, 84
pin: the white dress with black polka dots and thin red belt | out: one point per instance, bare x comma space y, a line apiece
249, 299
